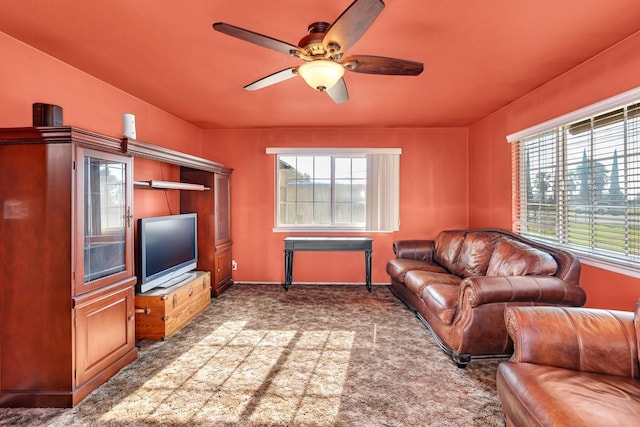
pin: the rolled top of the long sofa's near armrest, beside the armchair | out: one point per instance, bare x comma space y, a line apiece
525, 289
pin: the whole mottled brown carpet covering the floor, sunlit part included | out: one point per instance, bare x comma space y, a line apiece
313, 356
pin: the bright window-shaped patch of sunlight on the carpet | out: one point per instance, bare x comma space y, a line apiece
277, 377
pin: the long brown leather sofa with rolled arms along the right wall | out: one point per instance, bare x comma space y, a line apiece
460, 283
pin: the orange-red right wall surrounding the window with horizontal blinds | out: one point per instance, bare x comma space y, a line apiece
613, 71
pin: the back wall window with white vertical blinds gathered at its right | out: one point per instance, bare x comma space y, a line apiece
337, 189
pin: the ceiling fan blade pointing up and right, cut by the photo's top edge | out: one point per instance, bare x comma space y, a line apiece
351, 25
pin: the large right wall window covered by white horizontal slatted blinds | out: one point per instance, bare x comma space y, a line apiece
577, 183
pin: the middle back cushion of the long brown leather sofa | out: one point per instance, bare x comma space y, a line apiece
475, 253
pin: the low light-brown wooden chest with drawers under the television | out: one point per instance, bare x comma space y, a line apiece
160, 313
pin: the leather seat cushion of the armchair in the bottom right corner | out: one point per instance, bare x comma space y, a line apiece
534, 394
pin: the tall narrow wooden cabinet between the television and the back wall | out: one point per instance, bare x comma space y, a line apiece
214, 222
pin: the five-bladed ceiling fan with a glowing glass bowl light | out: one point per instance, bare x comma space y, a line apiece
323, 48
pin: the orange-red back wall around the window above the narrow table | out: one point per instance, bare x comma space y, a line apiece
433, 187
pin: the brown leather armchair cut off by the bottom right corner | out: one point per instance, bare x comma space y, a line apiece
571, 367
